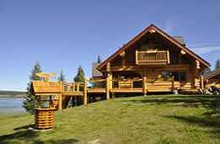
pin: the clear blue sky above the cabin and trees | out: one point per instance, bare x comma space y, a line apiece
68, 33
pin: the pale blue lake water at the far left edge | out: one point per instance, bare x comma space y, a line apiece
11, 105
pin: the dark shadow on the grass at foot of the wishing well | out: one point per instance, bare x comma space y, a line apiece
28, 136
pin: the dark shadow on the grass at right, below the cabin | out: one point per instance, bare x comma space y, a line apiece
210, 118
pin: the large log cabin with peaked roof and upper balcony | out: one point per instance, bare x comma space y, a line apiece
153, 61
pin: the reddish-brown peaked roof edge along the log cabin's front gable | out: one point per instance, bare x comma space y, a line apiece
144, 32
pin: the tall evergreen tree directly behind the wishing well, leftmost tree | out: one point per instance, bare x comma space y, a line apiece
29, 101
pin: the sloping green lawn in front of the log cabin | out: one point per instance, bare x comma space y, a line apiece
157, 119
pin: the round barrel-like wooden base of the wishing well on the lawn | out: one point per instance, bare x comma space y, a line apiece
44, 118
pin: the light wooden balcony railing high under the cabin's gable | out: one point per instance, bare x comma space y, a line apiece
152, 57
